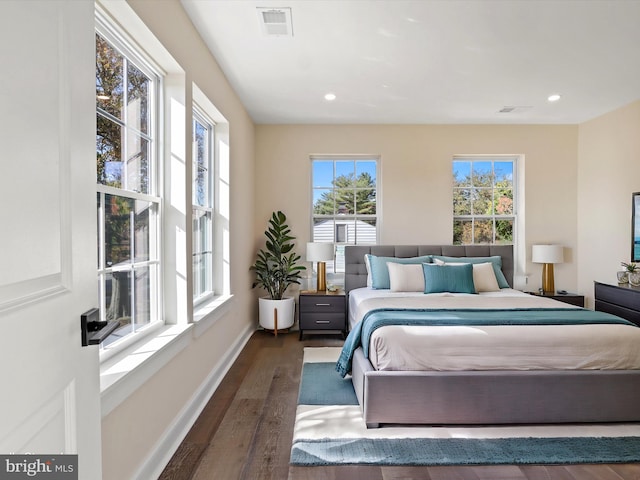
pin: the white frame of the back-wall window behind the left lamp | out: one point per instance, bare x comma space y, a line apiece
335, 269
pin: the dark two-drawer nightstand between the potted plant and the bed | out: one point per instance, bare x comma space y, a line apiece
323, 311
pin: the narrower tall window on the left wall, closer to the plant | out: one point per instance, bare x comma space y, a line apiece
203, 130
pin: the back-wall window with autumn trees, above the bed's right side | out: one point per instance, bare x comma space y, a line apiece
483, 200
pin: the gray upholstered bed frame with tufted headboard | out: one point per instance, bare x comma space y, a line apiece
483, 397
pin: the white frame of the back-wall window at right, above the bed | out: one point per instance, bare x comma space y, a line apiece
515, 160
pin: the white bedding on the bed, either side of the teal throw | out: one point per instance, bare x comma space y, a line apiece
504, 347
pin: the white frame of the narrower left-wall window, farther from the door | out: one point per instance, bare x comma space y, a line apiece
203, 291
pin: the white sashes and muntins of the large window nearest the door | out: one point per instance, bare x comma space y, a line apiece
129, 289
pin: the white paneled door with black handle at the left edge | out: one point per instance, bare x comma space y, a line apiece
50, 401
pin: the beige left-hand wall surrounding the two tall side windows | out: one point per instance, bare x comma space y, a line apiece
131, 431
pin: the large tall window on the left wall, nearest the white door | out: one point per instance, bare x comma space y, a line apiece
127, 188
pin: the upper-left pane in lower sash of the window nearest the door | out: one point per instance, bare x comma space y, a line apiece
118, 218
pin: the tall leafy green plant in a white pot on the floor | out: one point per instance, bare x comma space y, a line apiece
276, 269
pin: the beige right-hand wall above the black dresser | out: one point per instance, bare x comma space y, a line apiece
609, 149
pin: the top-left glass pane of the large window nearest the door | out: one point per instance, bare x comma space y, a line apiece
109, 78
